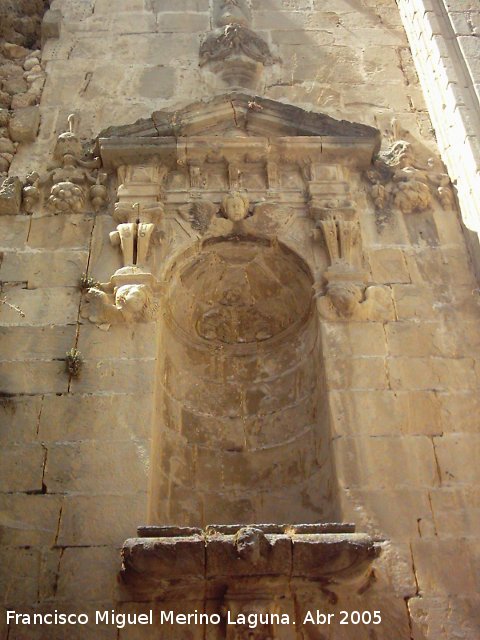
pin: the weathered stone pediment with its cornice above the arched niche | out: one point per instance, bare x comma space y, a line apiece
236, 123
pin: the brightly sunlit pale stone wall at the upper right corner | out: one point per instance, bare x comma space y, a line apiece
443, 37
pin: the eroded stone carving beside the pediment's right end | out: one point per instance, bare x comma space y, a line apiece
400, 182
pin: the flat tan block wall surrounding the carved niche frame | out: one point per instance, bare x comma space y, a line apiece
401, 391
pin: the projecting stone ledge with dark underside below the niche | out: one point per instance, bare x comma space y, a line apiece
170, 562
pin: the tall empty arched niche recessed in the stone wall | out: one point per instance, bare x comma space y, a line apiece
241, 430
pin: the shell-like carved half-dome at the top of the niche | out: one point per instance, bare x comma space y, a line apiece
231, 295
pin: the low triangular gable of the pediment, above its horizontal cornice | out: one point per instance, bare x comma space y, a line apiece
239, 114
